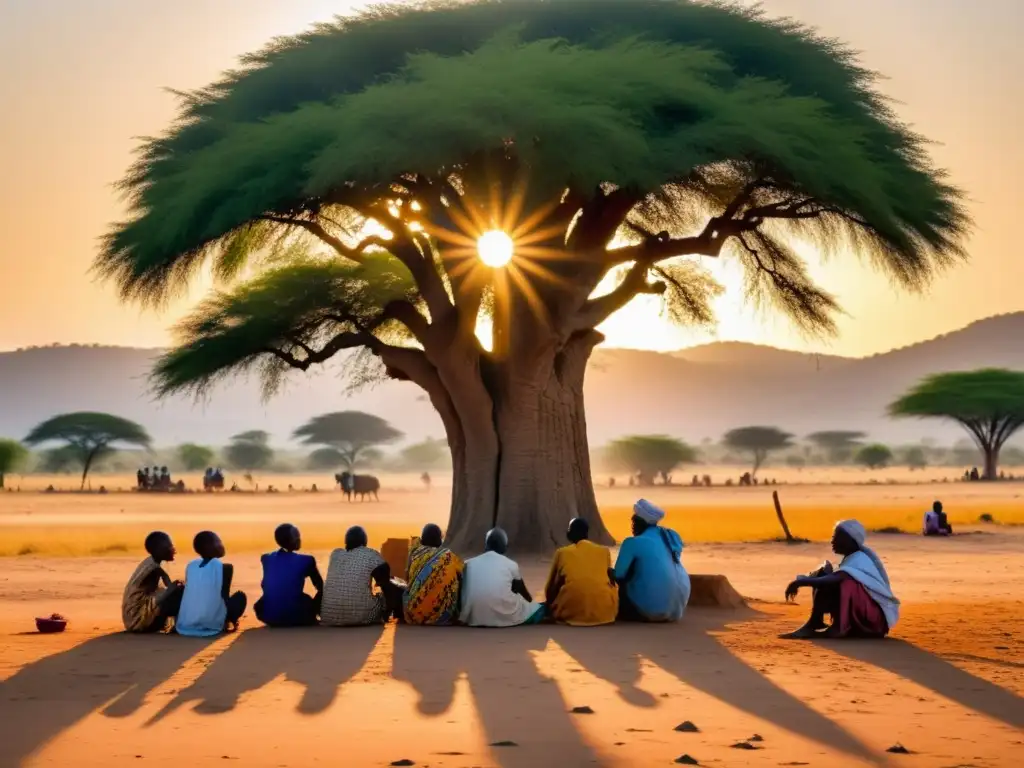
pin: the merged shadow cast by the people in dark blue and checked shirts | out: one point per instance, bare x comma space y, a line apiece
322, 660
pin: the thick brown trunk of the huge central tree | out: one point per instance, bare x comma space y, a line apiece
527, 467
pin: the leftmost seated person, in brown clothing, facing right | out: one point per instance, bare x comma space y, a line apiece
151, 600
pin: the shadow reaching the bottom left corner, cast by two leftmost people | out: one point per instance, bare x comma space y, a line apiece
45, 699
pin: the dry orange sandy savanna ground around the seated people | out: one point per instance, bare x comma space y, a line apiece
949, 686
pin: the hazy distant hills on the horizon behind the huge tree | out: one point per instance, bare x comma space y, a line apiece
693, 394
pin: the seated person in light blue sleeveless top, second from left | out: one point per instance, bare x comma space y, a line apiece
208, 608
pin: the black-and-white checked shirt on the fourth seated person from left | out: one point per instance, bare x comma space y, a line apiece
349, 596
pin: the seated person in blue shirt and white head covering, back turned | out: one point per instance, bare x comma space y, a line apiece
653, 584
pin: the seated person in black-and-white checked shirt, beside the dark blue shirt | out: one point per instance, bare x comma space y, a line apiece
349, 596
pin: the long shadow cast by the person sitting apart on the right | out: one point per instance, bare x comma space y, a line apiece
929, 671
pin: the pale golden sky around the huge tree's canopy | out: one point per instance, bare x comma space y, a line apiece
80, 79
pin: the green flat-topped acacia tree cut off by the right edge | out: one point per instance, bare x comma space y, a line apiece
989, 403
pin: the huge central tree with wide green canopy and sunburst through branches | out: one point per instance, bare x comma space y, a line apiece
615, 142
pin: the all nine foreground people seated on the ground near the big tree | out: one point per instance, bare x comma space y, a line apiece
648, 583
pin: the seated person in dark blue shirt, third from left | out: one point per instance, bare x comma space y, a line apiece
285, 603
